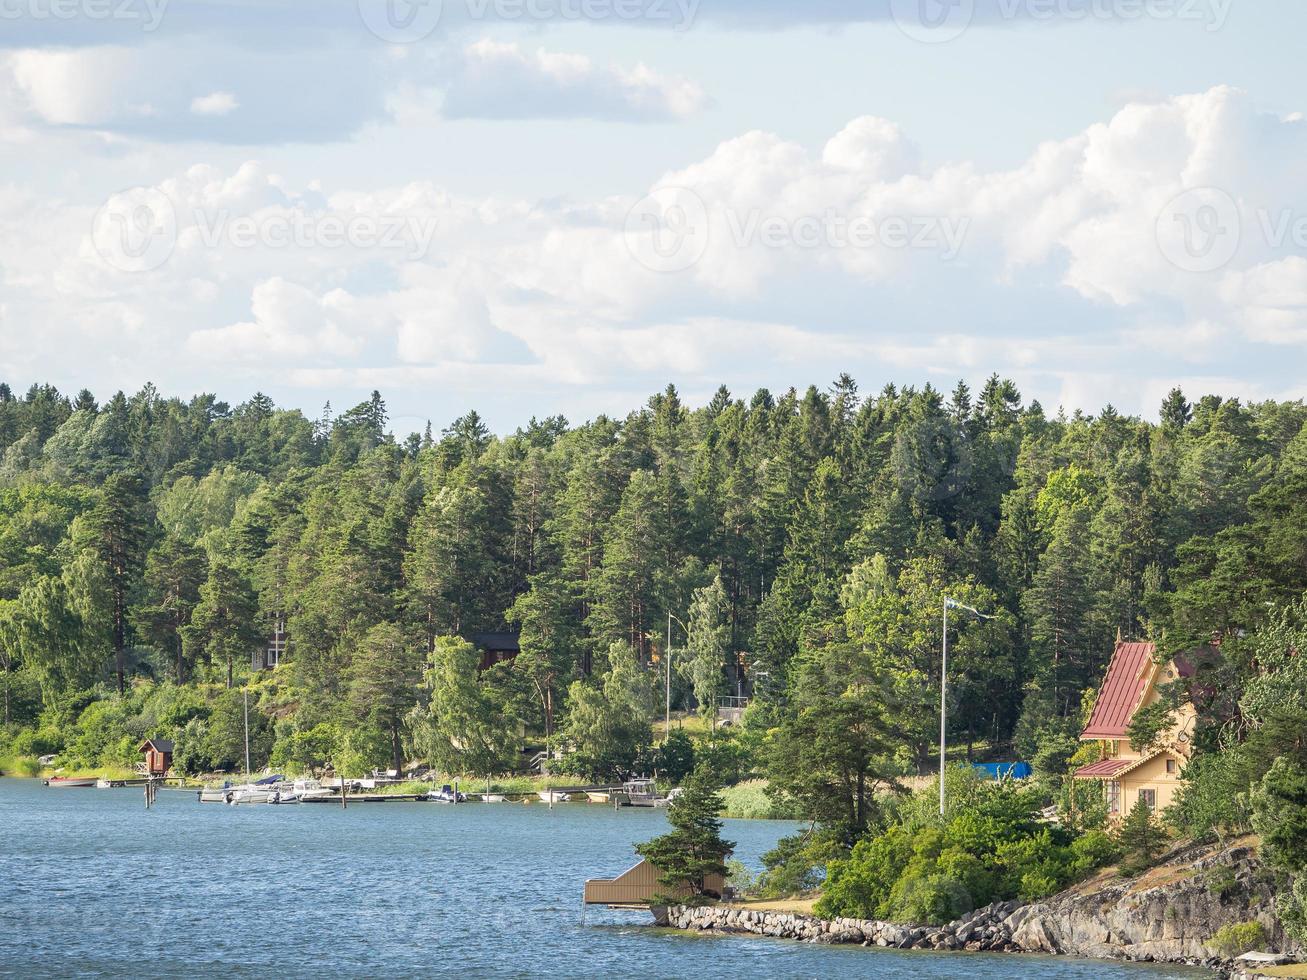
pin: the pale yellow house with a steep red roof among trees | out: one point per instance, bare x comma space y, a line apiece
1133, 683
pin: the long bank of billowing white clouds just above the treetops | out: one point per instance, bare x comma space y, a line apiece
1061, 280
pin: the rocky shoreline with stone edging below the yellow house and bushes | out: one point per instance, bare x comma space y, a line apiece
1166, 917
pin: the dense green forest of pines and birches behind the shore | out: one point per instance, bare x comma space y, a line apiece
795, 548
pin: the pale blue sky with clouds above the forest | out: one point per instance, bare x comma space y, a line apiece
559, 207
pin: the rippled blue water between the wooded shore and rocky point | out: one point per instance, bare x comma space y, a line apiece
91, 884
